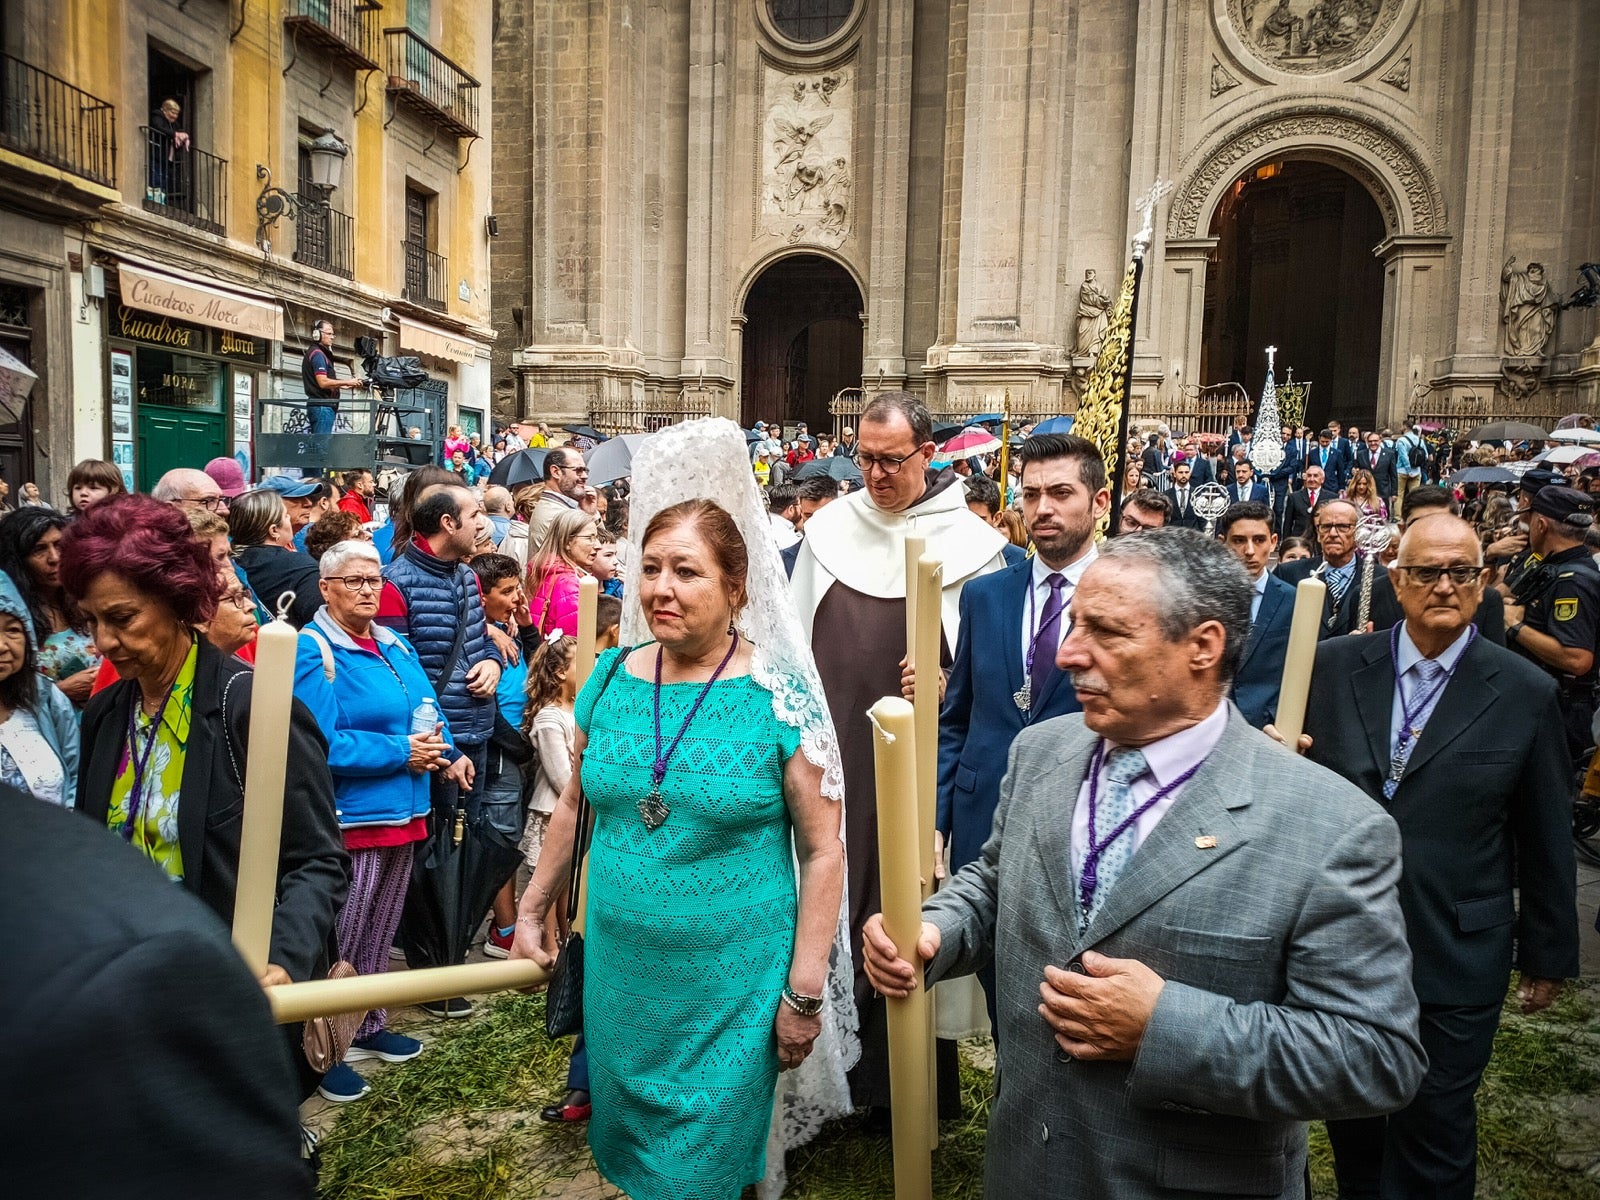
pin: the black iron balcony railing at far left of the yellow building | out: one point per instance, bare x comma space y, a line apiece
47, 119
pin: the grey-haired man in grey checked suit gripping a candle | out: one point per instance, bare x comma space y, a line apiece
1199, 954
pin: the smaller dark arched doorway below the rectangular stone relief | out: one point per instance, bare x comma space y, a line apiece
802, 342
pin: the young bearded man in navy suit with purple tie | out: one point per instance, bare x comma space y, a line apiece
1006, 676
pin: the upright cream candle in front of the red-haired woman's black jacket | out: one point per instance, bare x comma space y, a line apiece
262, 833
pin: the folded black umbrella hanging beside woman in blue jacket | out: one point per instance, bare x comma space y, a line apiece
452, 887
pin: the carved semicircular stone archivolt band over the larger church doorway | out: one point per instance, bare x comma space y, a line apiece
1334, 129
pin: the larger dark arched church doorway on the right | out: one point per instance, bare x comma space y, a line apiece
1295, 268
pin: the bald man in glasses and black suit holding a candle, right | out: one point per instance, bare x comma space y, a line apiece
1463, 743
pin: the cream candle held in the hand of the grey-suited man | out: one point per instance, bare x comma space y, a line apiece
910, 1023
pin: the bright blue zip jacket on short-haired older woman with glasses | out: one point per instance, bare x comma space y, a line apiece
366, 714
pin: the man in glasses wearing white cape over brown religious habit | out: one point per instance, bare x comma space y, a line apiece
850, 590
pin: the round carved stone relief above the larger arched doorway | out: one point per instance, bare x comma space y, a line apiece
1311, 36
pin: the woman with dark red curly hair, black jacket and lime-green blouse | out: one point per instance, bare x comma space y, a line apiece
169, 743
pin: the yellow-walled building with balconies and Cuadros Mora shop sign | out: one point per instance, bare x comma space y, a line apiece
162, 268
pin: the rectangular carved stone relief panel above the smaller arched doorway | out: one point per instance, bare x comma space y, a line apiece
806, 186
